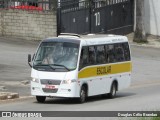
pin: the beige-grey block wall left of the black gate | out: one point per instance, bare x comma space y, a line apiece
29, 25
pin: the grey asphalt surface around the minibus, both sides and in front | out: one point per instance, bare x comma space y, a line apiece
142, 95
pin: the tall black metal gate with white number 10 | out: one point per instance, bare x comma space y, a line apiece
95, 16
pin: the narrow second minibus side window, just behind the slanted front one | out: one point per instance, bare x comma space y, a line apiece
92, 55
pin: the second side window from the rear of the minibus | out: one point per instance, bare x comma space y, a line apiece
119, 53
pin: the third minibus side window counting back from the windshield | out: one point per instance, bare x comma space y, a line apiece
100, 52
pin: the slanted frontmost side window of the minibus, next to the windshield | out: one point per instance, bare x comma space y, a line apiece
83, 57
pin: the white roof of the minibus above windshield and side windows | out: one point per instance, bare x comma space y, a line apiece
90, 39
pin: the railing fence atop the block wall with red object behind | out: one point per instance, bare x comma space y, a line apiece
39, 5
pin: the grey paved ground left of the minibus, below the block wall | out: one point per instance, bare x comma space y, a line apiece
14, 70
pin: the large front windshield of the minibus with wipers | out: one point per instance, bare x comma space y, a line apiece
56, 56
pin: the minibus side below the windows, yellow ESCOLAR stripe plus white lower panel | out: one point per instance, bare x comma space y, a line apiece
101, 84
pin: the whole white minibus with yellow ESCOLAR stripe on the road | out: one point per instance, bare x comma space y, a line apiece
75, 66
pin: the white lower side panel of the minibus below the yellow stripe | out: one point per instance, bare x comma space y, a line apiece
102, 85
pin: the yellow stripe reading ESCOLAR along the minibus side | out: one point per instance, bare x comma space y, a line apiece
105, 70
